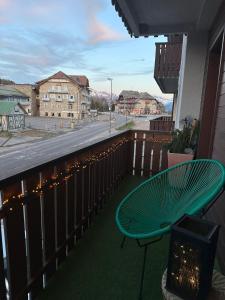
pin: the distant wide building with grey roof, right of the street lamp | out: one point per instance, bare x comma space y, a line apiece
135, 103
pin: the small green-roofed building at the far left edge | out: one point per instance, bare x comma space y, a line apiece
12, 115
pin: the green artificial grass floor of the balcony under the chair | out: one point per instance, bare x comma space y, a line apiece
97, 268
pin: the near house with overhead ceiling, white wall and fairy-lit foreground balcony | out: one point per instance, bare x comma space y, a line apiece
60, 214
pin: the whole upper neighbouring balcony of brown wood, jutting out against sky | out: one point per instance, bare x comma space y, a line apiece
167, 66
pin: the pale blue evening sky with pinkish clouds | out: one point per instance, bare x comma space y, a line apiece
40, 37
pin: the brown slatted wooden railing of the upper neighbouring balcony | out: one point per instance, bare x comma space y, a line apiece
167, 60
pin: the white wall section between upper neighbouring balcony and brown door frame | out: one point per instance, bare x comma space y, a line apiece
191, 76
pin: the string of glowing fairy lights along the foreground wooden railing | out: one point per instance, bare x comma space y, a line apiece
62, 176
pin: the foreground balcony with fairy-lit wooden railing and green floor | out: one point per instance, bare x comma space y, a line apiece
50, 212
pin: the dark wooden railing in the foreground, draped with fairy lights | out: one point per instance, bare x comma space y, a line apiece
46, 209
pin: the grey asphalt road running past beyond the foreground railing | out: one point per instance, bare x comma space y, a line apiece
26, 156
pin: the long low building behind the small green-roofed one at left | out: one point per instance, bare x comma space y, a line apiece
11, 94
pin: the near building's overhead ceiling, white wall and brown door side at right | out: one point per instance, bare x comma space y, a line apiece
201, 77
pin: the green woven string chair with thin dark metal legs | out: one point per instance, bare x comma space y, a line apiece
150, 209
